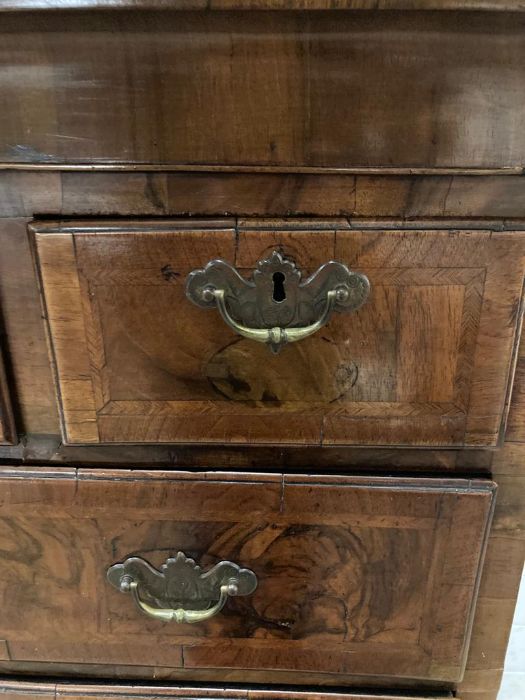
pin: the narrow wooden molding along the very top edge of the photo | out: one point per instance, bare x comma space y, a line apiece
470, 5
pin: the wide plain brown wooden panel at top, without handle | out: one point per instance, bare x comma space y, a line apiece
282, 89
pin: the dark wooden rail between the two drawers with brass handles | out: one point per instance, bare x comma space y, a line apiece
36, 448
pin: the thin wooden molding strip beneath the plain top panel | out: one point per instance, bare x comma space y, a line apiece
103, 166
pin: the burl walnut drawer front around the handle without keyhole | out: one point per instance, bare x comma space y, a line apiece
364, 577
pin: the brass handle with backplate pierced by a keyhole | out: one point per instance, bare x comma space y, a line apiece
275, 307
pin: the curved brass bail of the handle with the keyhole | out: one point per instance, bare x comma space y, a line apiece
275, 337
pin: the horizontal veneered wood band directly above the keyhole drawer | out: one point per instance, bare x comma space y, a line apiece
25, 193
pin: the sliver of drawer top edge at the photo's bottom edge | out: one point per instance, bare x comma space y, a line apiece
12, 690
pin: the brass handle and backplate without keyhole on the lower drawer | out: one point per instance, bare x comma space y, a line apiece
180, 591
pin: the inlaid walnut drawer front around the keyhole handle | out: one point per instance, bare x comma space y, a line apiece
425, 361
